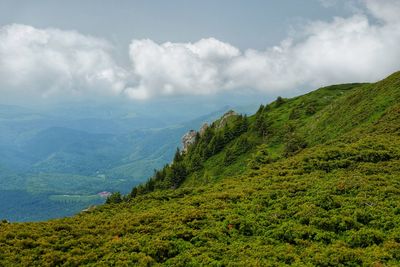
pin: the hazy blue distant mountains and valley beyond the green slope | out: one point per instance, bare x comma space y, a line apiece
54, 154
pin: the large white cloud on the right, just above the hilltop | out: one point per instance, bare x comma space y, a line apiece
344, 50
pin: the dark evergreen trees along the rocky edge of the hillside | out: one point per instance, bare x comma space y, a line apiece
235, 137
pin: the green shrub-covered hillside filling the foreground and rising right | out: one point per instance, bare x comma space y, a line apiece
313, 180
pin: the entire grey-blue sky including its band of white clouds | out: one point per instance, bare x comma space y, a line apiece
143, 50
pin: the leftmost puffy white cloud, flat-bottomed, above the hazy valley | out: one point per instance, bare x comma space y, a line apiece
51, 62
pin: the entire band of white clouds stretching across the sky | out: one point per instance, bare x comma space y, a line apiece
51, 62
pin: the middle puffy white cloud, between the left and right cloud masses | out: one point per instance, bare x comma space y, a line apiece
179, 68
